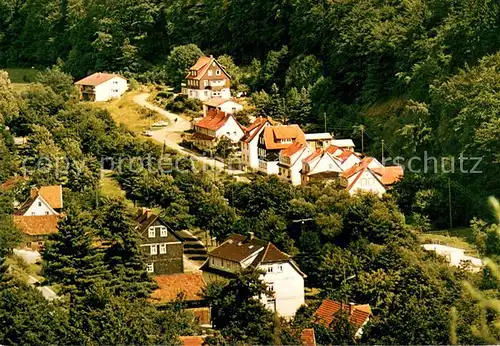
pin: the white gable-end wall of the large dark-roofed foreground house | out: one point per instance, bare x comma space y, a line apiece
288, 287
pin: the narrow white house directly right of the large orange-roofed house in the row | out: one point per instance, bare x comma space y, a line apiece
290, 161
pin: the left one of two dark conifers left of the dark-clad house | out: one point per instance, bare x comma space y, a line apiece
70, 257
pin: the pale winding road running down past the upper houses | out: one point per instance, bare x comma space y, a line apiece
179, 126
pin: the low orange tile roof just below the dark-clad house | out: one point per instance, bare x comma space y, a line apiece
169, 286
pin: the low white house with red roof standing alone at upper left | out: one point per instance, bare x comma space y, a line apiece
102, 87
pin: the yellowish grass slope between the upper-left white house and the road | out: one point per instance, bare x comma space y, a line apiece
125, 111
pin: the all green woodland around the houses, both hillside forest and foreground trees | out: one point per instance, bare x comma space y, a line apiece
422, 75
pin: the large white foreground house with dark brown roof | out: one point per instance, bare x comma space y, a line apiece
281, 274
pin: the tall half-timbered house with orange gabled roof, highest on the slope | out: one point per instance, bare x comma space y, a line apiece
207, 79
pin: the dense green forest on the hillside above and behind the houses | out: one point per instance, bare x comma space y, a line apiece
420, 75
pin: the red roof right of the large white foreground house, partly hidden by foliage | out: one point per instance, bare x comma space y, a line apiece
358, 314
